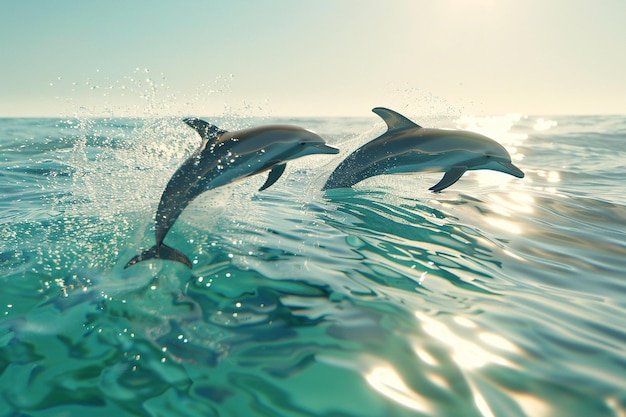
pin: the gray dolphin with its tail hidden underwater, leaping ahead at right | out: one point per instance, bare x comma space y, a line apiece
407, 147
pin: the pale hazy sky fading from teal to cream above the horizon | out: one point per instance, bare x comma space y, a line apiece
305, 58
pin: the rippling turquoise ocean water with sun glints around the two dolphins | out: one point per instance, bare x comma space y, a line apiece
497, 297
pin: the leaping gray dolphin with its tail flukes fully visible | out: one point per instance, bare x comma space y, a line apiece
225, 157
